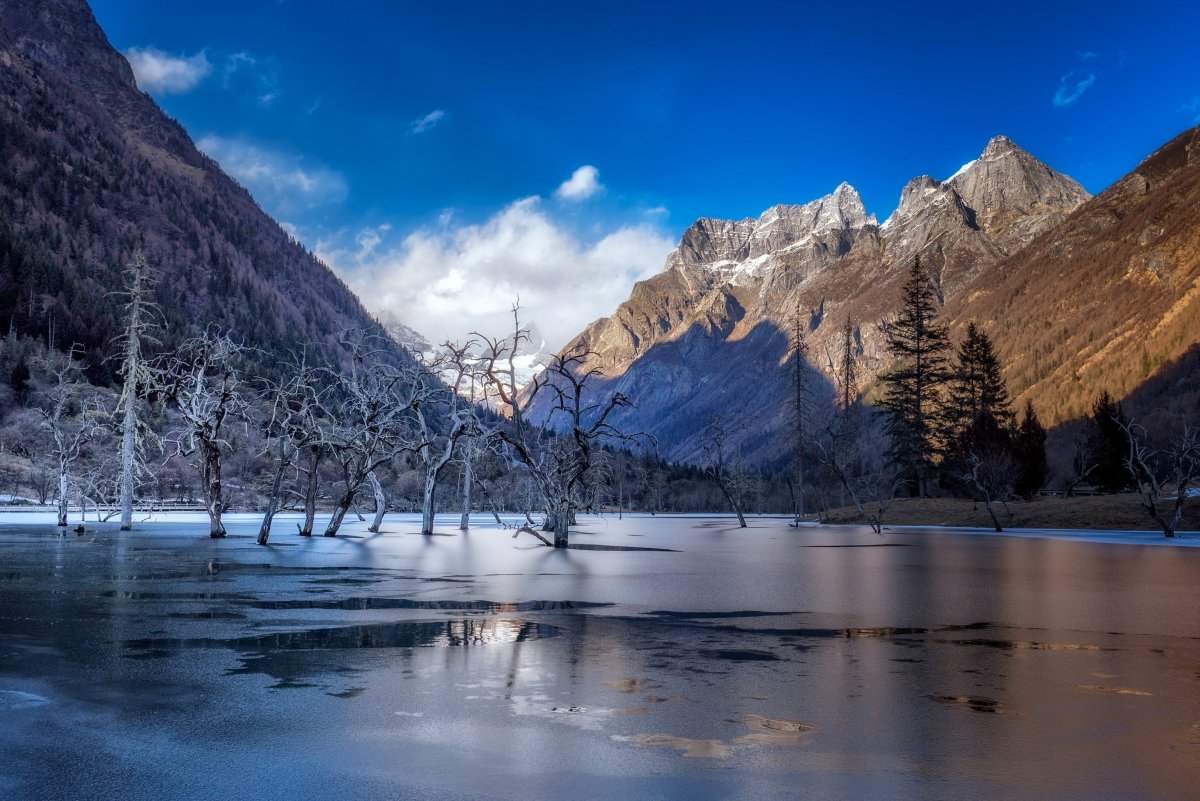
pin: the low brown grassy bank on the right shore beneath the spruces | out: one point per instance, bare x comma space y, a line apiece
1099, 513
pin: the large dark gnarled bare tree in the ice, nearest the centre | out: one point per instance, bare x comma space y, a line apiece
556, 463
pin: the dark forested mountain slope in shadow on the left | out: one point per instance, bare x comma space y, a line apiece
92, 171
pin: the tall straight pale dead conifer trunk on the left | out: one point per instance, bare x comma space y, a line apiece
137, 378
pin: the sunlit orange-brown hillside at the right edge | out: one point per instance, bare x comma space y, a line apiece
1106, 299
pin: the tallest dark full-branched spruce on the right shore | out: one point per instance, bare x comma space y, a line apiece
914, 388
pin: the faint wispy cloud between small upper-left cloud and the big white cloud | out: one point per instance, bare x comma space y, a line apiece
284, 184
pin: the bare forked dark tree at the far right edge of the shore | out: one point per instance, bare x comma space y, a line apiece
1155, 472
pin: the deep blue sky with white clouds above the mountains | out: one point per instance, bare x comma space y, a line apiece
423, 149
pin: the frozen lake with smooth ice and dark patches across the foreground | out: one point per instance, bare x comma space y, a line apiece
713, 664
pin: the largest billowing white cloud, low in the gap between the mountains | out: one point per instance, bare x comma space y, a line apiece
452, 280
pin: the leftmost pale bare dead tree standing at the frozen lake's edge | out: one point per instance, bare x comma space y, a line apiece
71, 417
